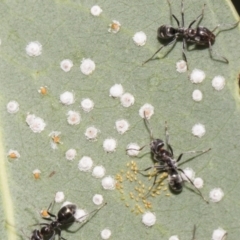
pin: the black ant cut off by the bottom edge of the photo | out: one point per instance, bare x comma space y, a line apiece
64, 217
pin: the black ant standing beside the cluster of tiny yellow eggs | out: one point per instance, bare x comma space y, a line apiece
165, 161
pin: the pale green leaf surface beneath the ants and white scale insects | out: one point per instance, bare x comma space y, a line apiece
67, 30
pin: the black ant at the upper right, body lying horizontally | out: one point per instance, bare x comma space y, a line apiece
200, 35
